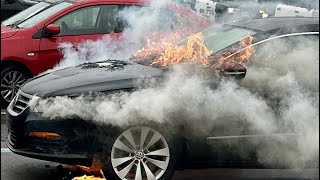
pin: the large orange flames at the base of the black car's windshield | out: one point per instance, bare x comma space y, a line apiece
166, 52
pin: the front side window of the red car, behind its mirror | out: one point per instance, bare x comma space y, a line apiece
89, 20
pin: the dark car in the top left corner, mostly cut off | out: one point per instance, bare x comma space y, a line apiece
12, 7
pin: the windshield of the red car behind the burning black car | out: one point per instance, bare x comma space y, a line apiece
43, 15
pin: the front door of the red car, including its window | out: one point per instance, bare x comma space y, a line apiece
78, 26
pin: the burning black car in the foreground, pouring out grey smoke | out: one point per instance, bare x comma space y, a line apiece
75, 141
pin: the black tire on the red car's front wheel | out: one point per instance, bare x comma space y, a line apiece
5, 72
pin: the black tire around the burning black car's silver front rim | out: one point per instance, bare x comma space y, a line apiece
170, 170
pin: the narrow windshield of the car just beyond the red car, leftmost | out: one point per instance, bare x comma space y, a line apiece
26, 13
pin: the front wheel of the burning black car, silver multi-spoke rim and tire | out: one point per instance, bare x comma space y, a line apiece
141, 153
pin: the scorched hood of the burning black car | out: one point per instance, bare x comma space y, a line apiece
77, 80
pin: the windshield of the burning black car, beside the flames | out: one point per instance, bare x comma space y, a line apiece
217, 38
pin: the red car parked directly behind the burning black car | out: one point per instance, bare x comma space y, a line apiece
30, 45
